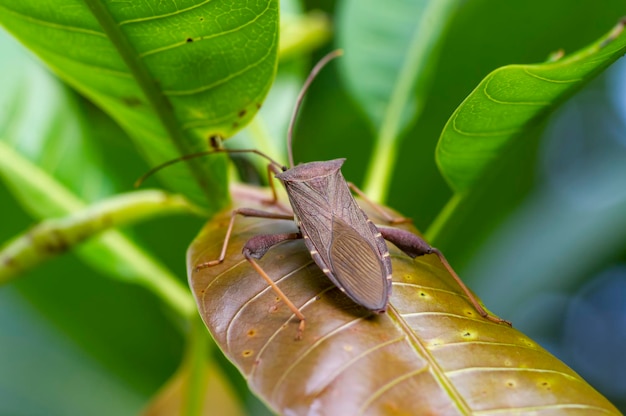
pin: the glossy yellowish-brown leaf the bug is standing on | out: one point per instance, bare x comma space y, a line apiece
430, 354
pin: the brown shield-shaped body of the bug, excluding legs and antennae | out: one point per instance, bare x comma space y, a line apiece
342, 241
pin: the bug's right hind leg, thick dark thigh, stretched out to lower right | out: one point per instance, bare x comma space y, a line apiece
414, 246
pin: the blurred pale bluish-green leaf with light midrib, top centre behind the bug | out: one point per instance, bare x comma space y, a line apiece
391, 51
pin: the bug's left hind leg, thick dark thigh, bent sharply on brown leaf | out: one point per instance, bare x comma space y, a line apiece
255, 248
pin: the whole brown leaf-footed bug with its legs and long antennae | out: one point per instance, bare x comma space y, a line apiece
344, 243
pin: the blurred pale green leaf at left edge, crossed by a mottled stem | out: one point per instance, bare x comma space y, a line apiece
60, 144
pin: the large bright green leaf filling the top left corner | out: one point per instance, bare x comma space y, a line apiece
170, 74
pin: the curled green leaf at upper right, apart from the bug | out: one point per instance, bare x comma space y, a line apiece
511, 101
